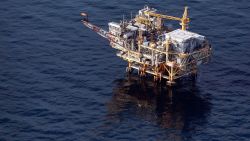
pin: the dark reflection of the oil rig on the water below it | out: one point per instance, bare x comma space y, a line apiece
181, 108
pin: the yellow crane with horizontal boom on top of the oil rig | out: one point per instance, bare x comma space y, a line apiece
183, 21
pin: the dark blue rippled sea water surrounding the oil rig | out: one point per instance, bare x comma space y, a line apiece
60, 81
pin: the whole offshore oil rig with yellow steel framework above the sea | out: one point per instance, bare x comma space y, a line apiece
150, 47
